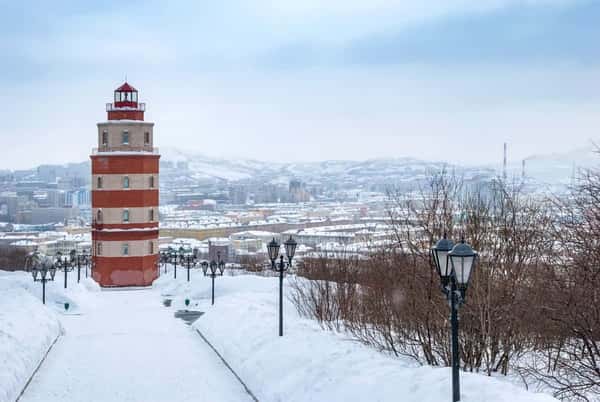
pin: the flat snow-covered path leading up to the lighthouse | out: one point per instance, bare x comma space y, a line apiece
130, 348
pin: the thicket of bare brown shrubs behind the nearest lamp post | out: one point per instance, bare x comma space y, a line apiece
533, 304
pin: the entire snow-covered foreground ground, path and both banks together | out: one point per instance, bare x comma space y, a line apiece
127, 345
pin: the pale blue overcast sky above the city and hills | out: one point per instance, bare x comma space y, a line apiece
304, 80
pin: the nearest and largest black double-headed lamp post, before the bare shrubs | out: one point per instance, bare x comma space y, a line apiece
454, 264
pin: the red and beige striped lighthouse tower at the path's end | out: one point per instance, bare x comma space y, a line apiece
125, 195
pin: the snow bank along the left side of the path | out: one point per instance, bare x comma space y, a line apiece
28, 328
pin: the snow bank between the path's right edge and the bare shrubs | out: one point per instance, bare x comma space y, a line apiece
308, 363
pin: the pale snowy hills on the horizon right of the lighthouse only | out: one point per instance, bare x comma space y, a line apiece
553, 169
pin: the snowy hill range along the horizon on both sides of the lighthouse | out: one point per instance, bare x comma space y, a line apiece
541, 171
